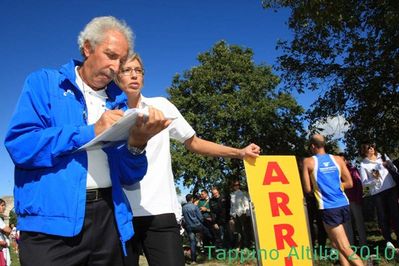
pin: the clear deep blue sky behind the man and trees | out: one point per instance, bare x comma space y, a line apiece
169, 35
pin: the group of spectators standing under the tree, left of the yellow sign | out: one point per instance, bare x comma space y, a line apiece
221, 221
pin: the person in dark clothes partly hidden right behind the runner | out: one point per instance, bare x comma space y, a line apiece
355, 197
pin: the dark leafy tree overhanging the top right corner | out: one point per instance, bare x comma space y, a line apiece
348, 51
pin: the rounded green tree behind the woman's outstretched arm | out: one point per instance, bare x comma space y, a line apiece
230, 100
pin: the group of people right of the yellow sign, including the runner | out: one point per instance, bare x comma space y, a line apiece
340, 201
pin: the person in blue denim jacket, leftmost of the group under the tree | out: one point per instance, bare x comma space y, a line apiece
193, 221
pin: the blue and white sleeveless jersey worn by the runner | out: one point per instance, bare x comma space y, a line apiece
326, 180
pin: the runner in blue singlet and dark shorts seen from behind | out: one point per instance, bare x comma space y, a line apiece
324, 172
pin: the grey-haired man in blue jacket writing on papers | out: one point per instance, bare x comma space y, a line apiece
70, 205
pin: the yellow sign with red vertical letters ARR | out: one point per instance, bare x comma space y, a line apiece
276, 193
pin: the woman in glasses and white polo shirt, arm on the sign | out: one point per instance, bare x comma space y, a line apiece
153, 199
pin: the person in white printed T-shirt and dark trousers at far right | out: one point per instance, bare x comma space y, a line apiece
375, 175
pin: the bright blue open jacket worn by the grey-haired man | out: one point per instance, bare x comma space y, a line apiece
47, 128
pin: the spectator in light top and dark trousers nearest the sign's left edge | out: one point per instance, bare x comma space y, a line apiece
240, 215
